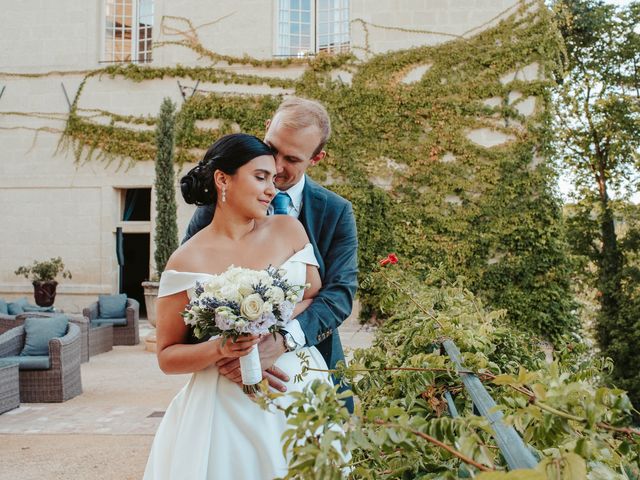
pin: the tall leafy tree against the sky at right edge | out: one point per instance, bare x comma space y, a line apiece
598, 125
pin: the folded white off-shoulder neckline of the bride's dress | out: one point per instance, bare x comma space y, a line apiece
172, 281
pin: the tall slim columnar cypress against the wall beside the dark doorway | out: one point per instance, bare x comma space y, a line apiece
166, 238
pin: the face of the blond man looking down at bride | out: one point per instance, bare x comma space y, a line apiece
293, 149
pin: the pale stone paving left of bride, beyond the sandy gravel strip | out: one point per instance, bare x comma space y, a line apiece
121, 389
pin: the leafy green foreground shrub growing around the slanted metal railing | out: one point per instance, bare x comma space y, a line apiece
577, 427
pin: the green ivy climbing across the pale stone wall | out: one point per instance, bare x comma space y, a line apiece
401, 153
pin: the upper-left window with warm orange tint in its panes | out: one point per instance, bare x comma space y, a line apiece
128, 27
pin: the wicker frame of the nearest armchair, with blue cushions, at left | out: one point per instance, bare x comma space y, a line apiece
62, 380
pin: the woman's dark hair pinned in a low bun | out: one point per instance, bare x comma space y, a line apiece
228, 154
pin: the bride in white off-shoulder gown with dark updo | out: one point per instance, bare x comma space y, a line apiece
212, 430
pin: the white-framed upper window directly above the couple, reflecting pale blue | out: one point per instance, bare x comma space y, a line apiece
306, 27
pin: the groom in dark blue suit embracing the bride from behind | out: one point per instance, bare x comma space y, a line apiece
297, 133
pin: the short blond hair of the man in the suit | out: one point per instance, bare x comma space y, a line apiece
298, 113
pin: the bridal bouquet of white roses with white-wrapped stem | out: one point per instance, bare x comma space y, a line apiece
241, 301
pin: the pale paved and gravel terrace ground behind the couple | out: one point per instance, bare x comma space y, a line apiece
105, 432
